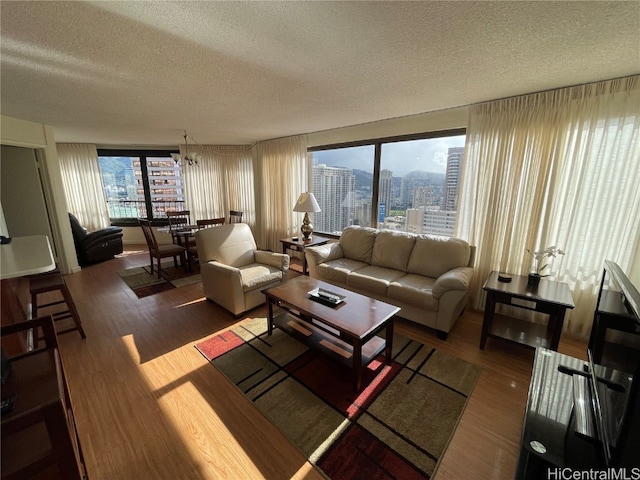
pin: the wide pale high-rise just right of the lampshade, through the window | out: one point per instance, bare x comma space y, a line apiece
335, 191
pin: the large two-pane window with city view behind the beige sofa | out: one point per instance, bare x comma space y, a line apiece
412, 181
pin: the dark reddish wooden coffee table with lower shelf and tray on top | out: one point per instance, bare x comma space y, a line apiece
346, 332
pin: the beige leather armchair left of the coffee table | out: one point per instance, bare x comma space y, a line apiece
234, 272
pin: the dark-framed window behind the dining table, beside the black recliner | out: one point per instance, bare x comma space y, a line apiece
140, 184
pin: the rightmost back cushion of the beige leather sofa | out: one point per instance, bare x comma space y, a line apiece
433, 255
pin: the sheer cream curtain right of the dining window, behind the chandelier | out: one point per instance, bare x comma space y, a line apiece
222, 181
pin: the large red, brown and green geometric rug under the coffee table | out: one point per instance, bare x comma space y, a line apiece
397, 427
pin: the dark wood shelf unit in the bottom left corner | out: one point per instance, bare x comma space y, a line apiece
39, 437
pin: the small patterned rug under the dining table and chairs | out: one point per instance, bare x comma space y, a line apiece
144, 283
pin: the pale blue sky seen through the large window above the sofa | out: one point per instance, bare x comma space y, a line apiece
400, 157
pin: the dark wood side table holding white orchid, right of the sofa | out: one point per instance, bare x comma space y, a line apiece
549, 297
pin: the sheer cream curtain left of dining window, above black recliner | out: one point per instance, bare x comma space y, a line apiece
83, 184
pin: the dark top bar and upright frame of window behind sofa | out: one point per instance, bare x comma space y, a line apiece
377, 158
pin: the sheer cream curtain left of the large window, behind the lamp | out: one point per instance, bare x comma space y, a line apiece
282, 175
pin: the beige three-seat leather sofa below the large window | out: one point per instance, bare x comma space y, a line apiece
426, 276
